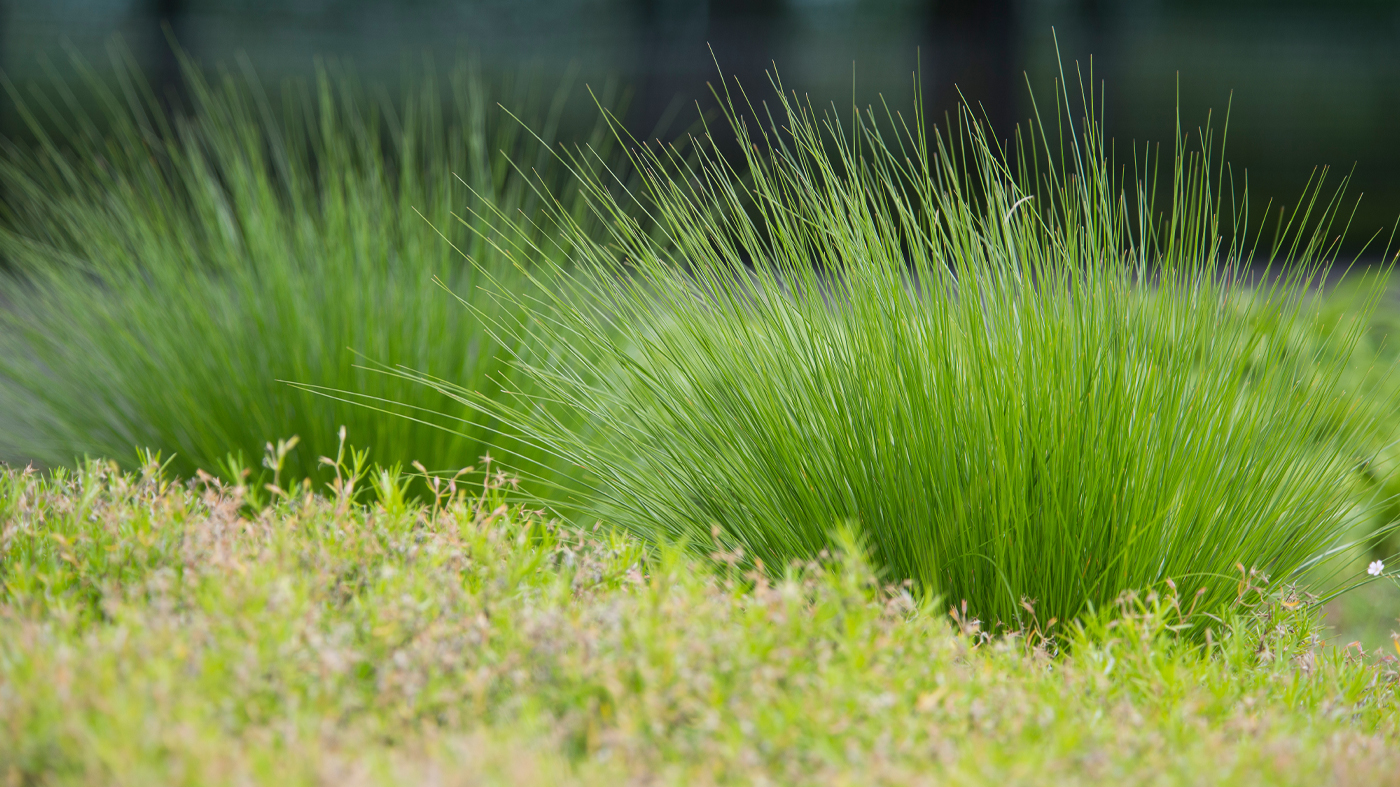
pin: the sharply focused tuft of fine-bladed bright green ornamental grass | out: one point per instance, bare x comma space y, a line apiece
1023, 380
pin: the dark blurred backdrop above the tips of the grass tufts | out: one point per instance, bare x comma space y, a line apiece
1314, 82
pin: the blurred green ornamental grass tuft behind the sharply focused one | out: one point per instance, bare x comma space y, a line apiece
170, 271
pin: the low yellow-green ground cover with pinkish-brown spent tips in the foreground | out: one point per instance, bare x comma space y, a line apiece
167, 634
